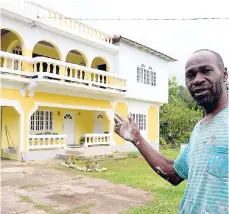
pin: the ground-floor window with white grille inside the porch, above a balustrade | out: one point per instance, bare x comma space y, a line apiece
41, 121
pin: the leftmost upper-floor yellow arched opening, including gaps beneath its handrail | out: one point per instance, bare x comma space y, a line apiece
13, 43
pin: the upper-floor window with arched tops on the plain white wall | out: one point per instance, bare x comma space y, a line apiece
146, 76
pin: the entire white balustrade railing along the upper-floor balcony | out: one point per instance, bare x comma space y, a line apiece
55, 70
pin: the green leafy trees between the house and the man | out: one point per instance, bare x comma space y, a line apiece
179, 116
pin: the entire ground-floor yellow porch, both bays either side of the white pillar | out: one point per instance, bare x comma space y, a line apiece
53, 129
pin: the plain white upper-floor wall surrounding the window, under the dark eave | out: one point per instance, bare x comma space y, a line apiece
129, 59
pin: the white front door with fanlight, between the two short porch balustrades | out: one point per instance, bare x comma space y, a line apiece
69, 128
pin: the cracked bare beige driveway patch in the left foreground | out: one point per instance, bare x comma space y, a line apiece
39, 188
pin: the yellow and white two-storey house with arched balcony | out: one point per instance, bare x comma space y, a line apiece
62, 81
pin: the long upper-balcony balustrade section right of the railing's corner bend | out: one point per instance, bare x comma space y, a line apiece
77, 73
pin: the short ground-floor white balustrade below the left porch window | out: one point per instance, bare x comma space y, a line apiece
47, 141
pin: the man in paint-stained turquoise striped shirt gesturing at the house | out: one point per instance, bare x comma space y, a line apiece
204, 161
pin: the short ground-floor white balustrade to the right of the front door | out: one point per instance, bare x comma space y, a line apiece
96, 139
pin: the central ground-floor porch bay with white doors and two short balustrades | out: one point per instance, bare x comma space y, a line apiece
52, 127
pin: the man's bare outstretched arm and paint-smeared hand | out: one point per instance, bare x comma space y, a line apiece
159, 163
